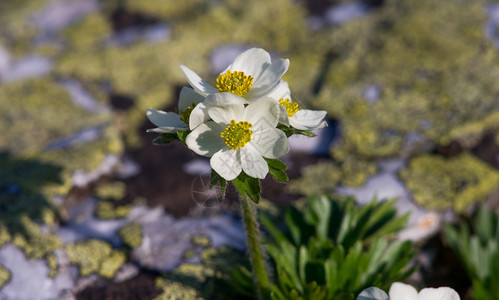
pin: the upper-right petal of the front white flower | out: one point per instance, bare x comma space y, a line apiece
263, 112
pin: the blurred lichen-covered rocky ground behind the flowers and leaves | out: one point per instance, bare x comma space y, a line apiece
91, 209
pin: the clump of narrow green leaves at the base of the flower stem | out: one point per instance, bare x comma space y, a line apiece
333, 250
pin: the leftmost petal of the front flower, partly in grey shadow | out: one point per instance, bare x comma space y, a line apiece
205, 140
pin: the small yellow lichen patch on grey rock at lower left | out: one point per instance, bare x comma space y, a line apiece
95, 257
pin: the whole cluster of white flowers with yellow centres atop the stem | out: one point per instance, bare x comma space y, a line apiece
242, 122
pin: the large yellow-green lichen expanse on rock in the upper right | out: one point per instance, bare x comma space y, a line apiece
434, 66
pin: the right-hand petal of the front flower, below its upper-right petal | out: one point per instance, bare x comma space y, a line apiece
269, 142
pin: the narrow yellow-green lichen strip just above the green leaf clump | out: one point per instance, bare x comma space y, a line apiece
325, 176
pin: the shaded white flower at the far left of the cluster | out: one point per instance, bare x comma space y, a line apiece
170, 122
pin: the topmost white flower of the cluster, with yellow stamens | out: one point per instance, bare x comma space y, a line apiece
252, 75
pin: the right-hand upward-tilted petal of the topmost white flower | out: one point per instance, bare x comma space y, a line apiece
269, 79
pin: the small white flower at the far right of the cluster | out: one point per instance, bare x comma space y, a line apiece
291, 114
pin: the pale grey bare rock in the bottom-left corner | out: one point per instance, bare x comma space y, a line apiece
29, 277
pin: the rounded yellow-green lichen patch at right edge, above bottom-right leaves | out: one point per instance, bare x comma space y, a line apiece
458, 182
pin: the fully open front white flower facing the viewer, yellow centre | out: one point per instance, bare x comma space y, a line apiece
239, 137
